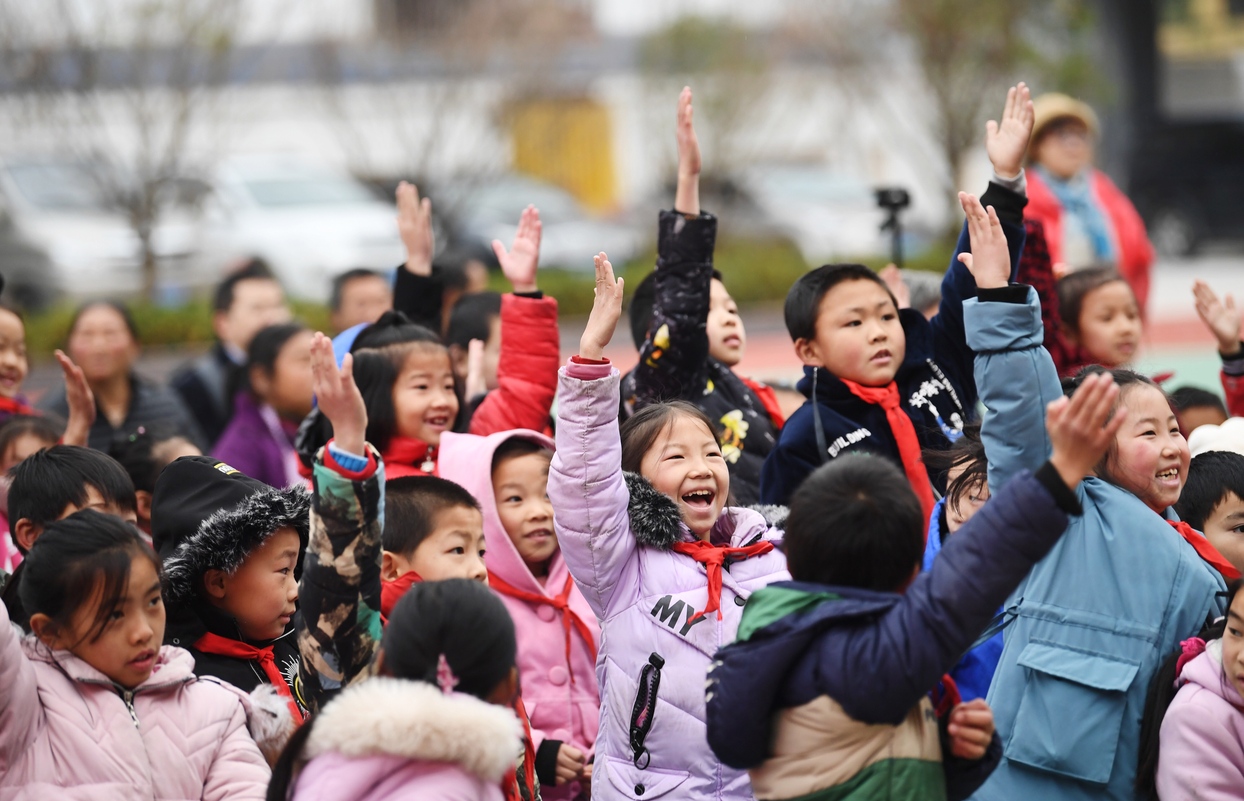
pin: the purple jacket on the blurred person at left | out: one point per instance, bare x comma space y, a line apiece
258, 447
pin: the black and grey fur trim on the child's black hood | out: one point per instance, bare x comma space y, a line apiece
227, 537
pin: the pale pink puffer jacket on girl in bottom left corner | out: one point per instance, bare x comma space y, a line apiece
68, 733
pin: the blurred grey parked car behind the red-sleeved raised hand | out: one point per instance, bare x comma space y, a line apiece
572, 237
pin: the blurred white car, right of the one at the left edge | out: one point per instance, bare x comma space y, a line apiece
308, 222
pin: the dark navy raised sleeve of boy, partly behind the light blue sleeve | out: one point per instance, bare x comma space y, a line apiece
950, 343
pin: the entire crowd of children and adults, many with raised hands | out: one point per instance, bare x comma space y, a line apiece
431, 560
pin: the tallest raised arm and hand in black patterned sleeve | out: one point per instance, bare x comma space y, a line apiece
675, 354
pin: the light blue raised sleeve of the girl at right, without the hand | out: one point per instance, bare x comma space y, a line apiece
1016, 379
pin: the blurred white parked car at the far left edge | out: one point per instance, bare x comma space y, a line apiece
63, 237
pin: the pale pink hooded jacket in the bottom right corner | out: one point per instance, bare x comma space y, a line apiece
1202, 738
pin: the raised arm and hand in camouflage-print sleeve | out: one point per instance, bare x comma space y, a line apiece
340, 590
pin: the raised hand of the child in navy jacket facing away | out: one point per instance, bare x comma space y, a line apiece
1083, 427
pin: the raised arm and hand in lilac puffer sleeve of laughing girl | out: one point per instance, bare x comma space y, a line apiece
585, 479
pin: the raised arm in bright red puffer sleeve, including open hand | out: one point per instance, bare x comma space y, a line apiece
527, 371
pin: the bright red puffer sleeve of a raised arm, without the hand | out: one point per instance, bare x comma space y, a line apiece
527, 374
